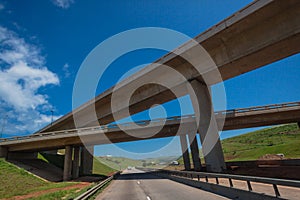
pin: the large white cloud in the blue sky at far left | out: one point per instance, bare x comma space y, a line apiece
22, 74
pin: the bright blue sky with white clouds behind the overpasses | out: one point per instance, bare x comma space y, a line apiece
43, 43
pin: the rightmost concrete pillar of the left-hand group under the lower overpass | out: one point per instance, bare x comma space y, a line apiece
87, 158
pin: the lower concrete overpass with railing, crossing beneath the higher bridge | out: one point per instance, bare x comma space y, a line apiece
234, 119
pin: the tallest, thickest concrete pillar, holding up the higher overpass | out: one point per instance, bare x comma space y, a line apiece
208, 128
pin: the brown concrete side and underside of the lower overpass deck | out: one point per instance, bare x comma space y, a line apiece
171, 128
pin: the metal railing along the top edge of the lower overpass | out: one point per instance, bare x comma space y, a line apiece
146, 122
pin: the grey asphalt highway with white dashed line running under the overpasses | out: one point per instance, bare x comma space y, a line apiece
135, 184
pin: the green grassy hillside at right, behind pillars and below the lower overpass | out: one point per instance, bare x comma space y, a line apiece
251, 146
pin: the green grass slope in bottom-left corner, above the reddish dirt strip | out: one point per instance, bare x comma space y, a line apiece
15, 181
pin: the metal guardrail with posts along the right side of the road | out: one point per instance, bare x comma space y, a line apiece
248, 179
